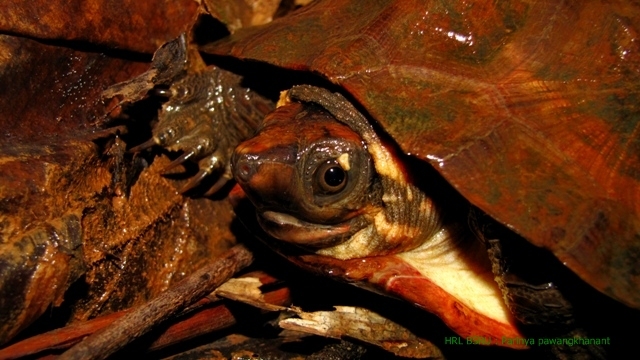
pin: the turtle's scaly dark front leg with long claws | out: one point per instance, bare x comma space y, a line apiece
207, 115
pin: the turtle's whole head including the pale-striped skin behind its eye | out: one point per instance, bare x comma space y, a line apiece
321, 178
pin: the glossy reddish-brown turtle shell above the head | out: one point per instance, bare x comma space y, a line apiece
531, 110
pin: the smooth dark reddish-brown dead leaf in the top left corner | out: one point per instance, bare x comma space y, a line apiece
140, 26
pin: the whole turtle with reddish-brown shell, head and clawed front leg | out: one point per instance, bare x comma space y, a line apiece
527, 111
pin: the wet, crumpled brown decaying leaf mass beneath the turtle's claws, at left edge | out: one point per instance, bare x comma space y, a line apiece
105, 218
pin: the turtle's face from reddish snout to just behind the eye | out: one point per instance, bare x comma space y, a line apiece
310, 177
